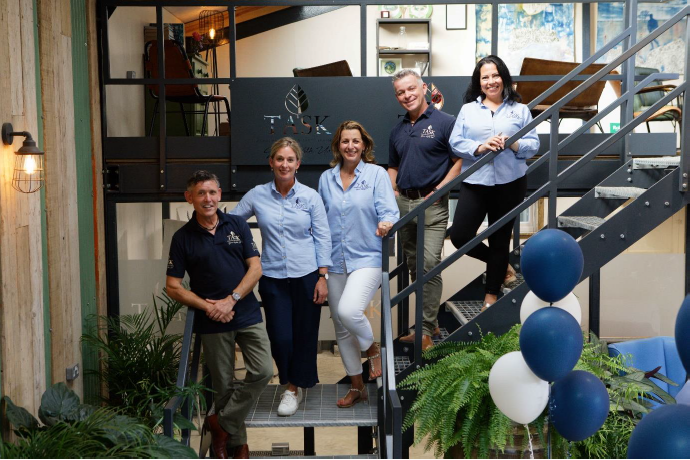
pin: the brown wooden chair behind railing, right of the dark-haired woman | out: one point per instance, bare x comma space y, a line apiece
584, 107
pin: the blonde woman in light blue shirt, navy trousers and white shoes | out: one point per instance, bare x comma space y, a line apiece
296, 253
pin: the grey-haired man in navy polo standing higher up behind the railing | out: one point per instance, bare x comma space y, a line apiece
420, 161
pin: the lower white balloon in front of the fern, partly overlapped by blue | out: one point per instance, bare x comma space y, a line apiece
516, 391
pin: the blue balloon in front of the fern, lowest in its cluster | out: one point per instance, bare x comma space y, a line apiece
579, 405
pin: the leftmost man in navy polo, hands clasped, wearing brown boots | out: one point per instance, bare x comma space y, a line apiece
218, 252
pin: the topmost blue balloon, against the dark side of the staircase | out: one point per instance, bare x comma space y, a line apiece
552, 264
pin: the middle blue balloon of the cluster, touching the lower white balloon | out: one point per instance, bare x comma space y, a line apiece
551, 343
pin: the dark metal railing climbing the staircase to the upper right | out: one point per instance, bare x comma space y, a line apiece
550, 187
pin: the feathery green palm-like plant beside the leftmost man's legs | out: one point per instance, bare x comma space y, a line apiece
142, 360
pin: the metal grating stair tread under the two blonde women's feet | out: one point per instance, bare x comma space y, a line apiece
318, 408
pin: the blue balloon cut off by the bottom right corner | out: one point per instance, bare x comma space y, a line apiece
663, 433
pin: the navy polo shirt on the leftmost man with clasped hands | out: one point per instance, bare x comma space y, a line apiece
216, 265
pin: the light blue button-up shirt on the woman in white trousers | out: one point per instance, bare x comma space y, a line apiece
354, 214
